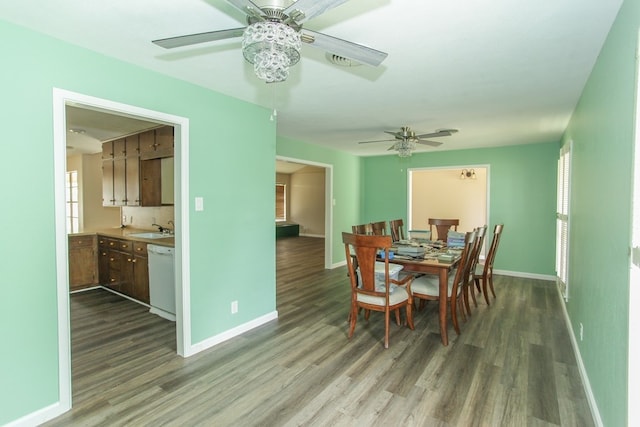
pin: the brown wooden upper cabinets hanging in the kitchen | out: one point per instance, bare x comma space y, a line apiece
127, 176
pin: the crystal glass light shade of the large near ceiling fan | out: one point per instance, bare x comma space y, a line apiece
272, 48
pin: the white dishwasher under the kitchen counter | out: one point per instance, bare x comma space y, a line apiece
162, 289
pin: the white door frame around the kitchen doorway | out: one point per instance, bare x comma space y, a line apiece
61, 99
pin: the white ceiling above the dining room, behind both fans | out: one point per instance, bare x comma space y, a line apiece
503, 72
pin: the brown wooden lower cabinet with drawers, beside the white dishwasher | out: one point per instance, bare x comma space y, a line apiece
123, 267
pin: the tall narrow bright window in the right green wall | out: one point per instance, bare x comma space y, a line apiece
562, 220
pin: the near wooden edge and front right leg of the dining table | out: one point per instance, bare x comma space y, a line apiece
442, 270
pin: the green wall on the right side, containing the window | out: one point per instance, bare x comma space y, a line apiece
602, 131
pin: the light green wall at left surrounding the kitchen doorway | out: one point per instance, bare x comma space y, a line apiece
32, 65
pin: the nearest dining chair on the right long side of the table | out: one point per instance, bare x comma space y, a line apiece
427, 287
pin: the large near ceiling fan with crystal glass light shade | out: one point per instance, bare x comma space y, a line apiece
274, 34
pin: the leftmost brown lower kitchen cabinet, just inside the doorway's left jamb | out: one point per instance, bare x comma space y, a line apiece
83, 262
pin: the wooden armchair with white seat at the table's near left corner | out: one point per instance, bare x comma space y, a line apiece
377, 294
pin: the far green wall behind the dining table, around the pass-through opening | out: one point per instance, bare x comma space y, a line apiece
522, 187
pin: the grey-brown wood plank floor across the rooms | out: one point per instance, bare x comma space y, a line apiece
512, 365
